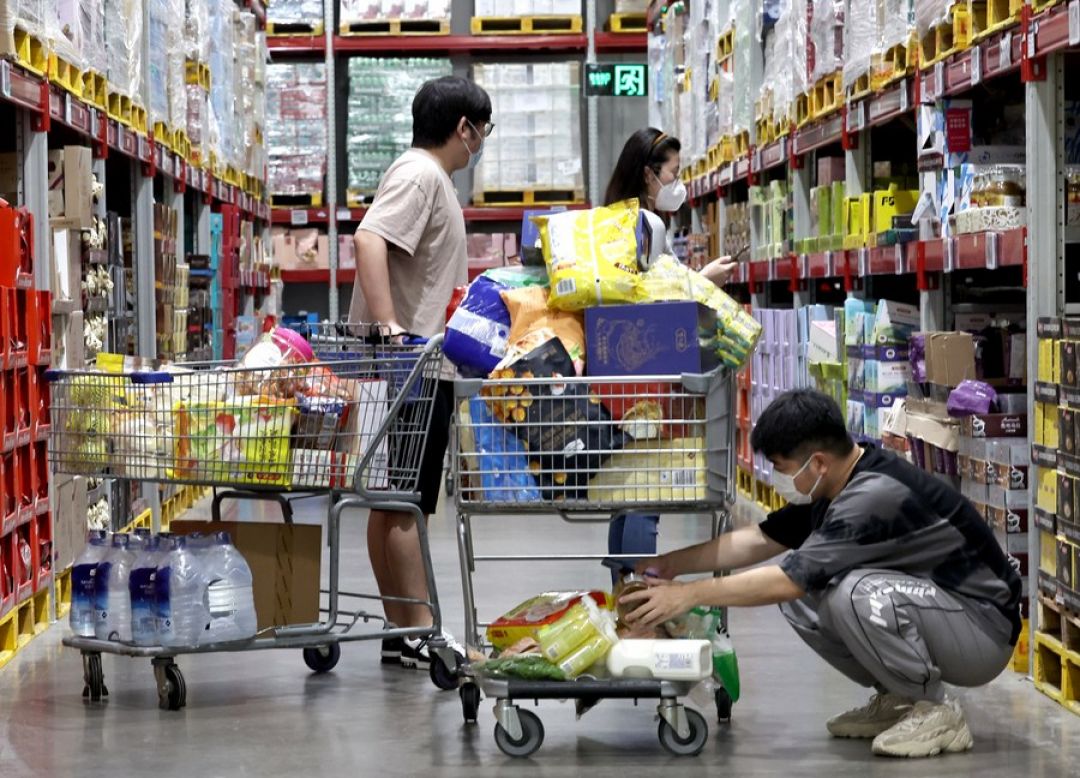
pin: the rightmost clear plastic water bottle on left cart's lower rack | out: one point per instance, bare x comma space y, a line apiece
229, 593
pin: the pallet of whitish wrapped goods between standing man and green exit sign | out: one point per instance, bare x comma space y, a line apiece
535, 158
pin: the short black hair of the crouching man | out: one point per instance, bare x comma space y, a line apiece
800, 423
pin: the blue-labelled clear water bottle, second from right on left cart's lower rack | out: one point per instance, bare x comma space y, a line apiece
183, 616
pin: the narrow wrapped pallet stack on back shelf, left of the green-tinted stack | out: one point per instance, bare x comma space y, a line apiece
296, 133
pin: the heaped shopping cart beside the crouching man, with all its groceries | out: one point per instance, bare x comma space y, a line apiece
596, 384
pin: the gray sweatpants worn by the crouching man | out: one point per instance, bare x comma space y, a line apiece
902, 635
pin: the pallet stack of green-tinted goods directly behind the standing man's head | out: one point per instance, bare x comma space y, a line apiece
380, 125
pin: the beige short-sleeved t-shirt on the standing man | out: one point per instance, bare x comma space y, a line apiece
416, 211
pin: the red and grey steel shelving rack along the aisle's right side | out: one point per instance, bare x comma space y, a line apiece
1035, 49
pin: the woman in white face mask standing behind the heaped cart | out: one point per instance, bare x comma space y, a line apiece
649, 170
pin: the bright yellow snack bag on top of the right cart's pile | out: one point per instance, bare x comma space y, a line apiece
592, 257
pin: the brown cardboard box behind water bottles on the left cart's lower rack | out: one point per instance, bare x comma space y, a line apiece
286, 567
